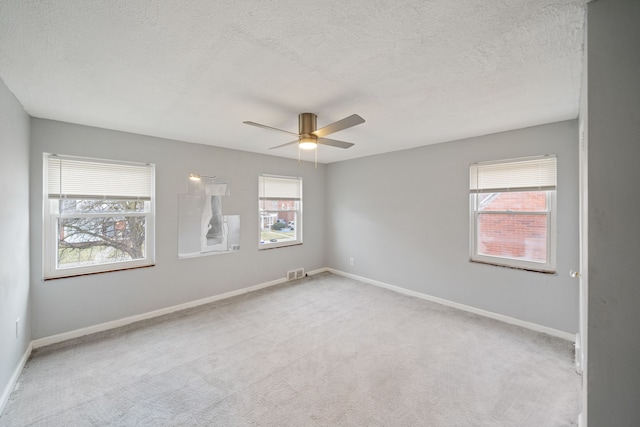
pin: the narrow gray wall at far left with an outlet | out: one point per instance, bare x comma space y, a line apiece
14, 234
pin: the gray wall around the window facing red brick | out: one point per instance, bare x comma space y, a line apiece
404, 217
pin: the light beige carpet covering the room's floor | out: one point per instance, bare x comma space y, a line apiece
321, 351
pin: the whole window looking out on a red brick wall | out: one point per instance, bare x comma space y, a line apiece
513, 214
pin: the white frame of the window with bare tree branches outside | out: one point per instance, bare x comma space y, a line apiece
52, 215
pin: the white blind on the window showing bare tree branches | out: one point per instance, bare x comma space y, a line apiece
71, 178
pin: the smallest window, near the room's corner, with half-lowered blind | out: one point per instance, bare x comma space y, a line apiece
280, 209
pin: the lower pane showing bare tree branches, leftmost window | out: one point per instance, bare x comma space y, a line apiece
101, 240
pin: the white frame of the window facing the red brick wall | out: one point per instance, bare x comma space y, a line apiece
549, 266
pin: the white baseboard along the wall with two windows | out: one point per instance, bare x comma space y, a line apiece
53, 339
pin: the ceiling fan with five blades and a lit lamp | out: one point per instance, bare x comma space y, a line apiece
309, 136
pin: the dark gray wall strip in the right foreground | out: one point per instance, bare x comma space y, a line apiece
614, 211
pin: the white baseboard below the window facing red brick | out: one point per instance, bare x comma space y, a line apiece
511, 320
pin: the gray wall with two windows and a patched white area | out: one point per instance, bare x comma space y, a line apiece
67, 304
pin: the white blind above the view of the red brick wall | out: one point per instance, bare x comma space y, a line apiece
536, 174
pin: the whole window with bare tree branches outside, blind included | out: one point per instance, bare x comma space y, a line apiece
98, 215
